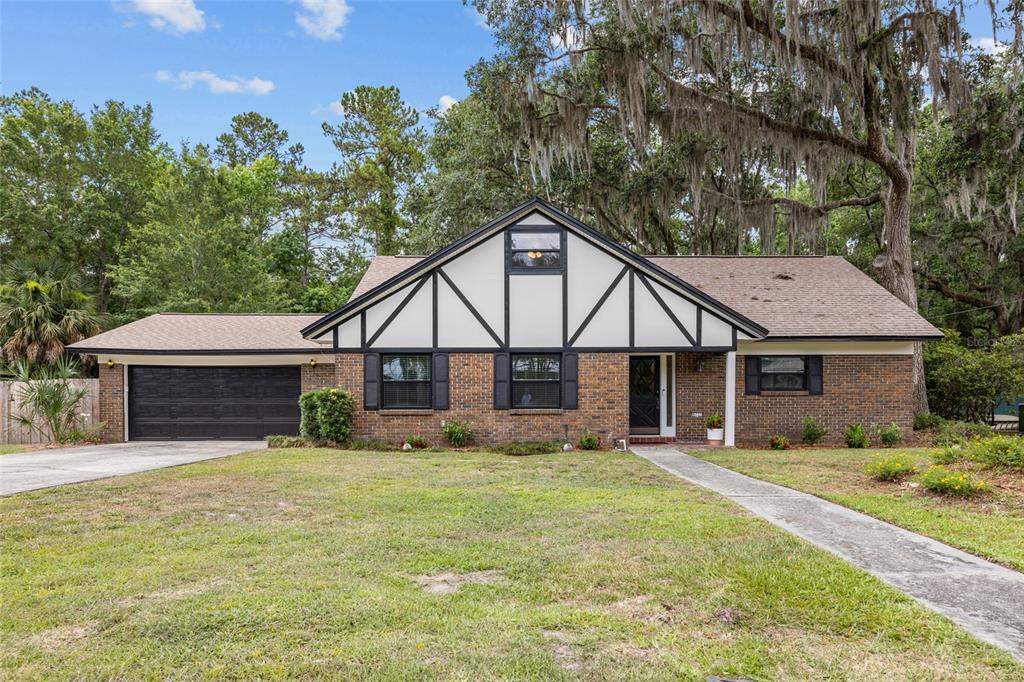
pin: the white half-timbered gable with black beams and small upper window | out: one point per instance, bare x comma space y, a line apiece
535, 279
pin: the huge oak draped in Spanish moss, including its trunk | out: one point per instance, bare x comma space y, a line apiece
822, 84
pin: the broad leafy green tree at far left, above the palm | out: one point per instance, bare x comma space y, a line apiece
72, 188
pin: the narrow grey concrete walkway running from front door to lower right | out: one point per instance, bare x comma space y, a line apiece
986, 600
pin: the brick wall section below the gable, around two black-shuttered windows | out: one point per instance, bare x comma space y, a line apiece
604, 404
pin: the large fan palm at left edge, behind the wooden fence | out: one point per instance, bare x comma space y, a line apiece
41, 312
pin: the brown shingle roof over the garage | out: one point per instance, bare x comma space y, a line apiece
192, 333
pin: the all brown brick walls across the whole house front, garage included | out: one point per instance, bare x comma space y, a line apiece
870, 390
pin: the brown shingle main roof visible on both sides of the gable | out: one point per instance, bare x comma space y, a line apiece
792, 296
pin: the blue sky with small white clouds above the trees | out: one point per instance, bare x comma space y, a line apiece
201, 63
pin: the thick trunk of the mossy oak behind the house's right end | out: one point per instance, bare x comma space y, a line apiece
895, 266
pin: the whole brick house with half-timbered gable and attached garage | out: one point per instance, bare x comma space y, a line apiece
533, 327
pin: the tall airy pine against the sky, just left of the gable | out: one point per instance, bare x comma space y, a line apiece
381, 147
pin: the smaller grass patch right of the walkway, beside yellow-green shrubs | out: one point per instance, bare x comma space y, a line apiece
991, 526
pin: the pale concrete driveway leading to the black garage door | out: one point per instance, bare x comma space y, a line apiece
45, 468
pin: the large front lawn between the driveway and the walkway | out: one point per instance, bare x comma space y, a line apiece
308, 564
